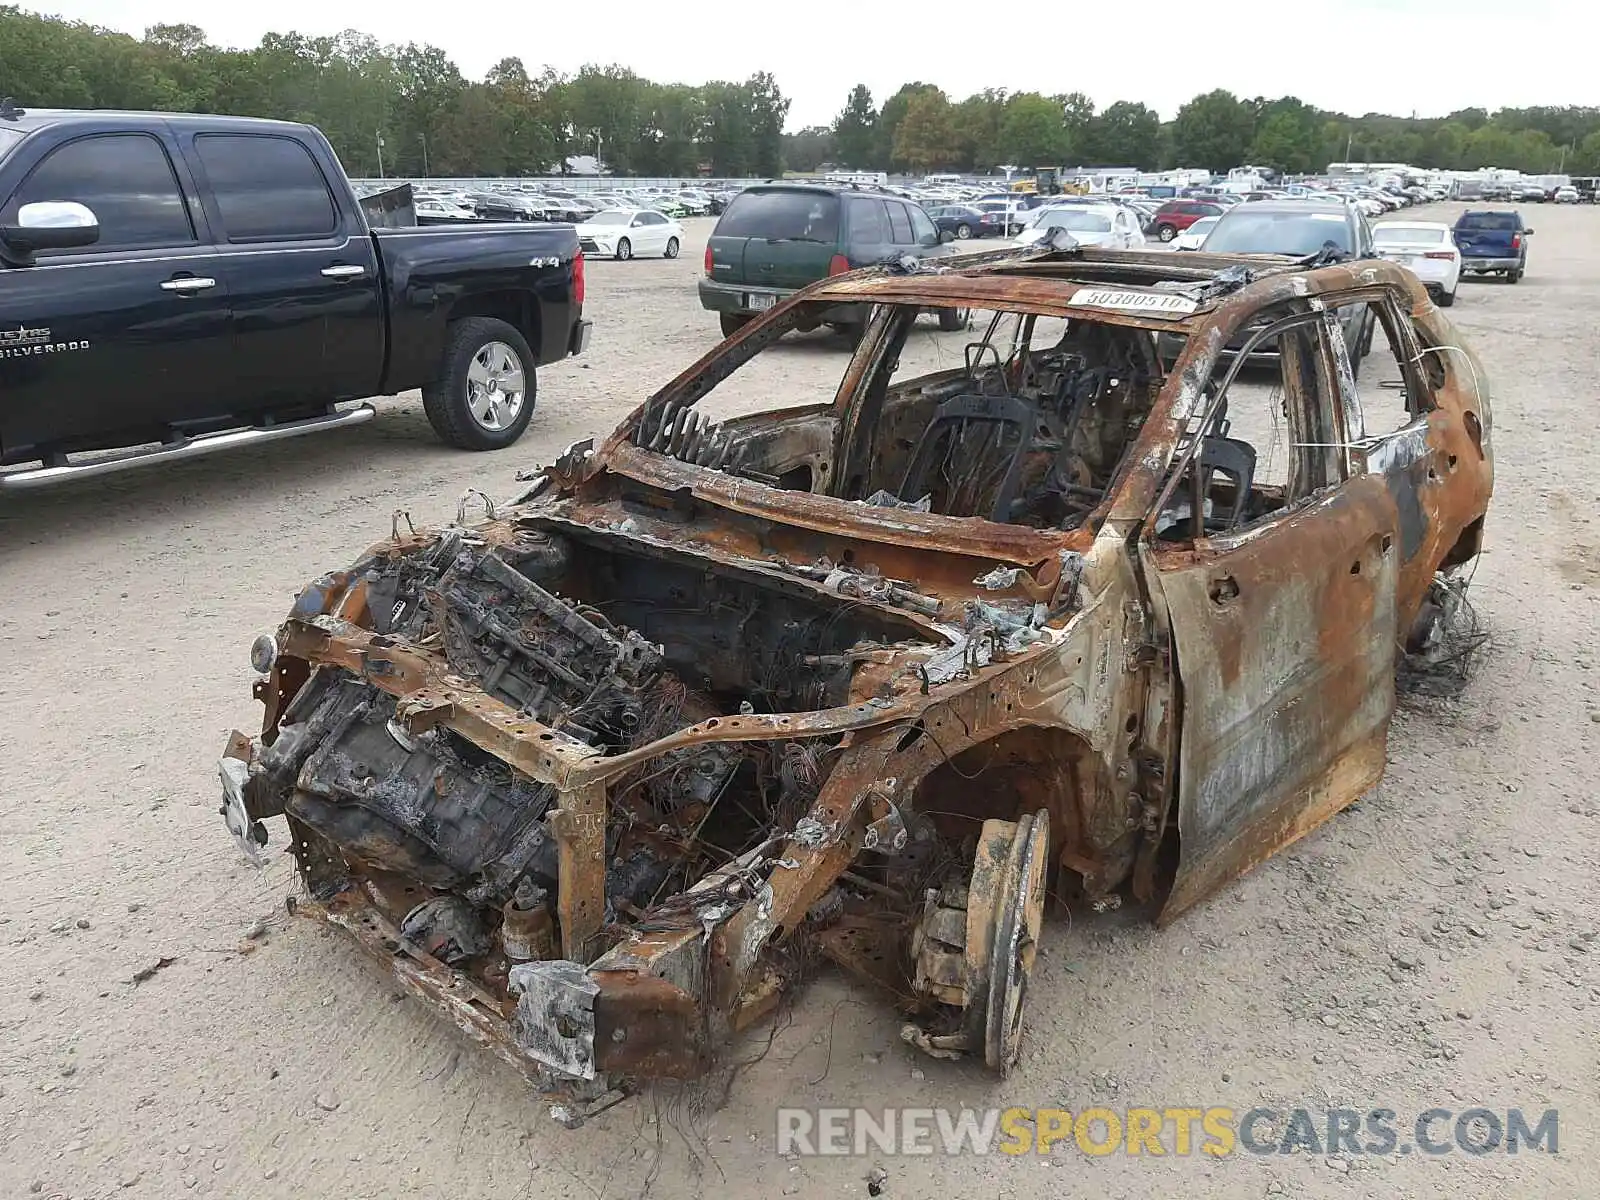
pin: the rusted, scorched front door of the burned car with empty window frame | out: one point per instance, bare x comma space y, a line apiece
1282, 634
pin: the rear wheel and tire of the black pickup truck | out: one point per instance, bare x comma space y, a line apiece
486, 390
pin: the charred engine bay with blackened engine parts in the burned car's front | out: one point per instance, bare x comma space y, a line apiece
606, 647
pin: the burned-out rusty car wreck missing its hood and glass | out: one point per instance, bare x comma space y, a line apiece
606, 774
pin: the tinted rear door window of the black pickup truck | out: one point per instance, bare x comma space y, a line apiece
266, 188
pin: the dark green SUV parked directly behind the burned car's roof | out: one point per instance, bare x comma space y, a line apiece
777, 239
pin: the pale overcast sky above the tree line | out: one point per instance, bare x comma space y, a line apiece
1401, 57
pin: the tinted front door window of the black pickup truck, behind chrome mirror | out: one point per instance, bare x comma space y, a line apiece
126, 178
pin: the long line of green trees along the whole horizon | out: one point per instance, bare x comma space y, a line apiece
410, 111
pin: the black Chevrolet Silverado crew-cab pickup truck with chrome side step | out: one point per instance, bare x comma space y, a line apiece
172, 286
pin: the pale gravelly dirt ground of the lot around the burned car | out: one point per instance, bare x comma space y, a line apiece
1434, 946
